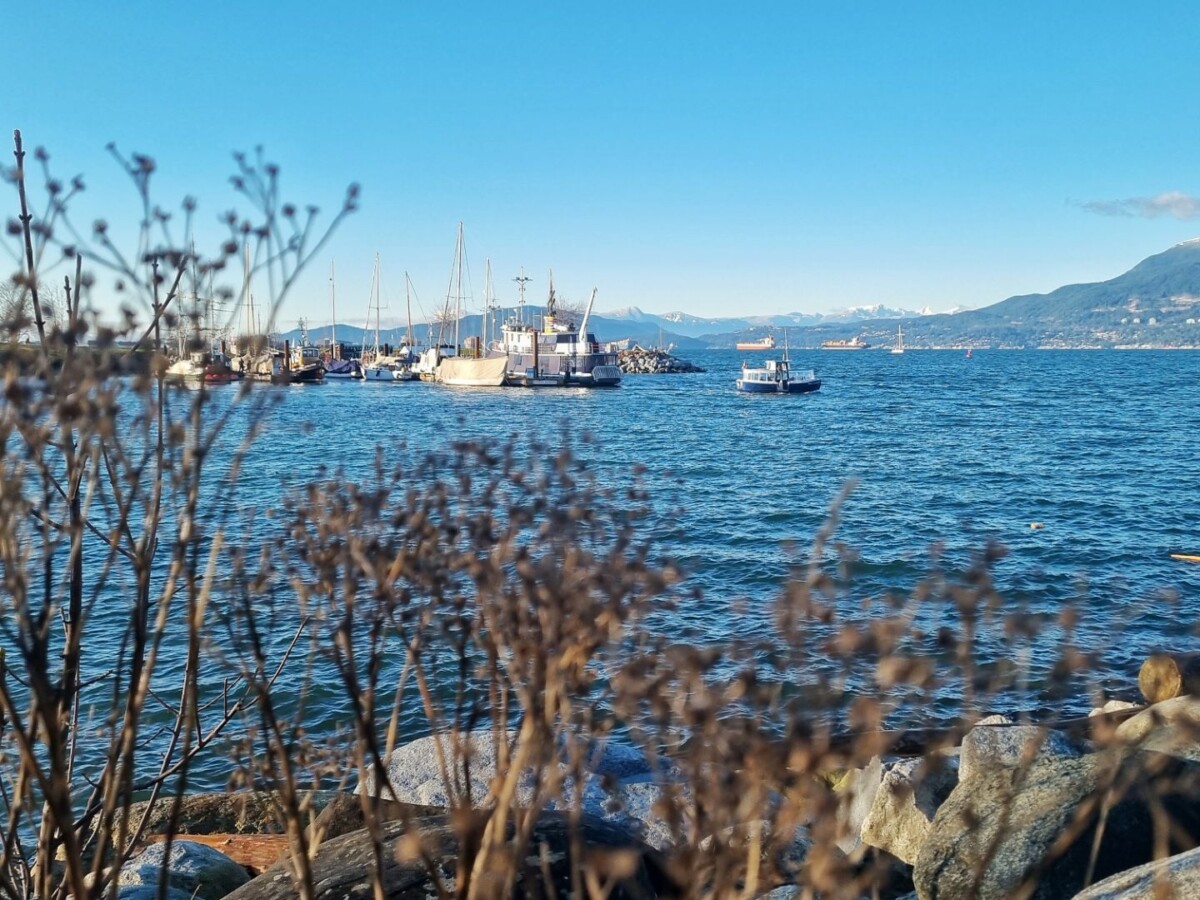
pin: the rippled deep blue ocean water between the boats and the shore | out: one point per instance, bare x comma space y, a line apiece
944, 454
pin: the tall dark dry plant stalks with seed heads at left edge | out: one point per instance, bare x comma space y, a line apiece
109, 565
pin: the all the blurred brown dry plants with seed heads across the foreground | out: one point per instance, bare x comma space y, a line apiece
491, 595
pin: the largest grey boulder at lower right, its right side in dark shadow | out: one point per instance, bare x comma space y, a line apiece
1006, 830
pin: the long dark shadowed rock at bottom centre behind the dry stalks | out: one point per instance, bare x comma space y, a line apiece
341, 868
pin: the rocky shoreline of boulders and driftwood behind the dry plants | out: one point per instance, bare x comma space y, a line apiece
1013, 811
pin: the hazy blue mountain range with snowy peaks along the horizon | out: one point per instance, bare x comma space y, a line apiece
1155, 304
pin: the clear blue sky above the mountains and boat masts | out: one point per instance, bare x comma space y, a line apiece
721, 159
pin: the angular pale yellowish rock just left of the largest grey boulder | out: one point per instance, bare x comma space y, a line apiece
905, 805
